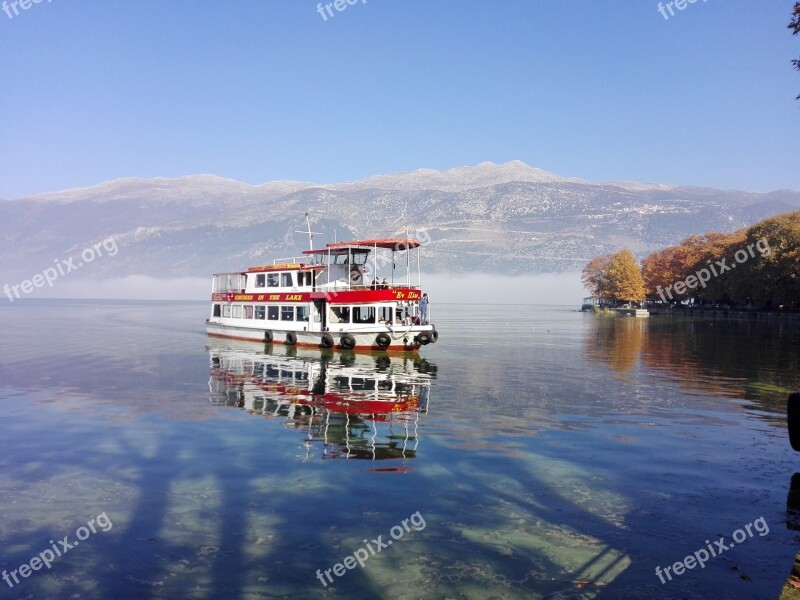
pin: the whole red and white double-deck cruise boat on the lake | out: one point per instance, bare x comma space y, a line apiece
328, 298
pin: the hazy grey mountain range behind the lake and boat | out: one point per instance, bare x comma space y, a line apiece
509, 219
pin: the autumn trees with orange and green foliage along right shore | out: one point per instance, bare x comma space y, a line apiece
752, 270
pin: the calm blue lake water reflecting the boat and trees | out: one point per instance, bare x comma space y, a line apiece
533, 452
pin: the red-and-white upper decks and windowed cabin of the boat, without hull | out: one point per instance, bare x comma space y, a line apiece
344, 287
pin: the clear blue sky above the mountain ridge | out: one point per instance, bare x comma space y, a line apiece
263, 90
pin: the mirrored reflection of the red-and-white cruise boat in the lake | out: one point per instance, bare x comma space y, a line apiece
348, 405
